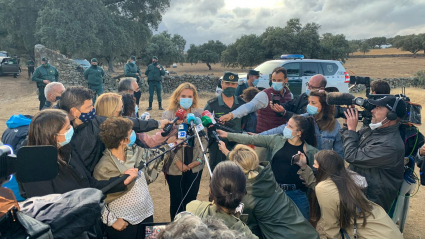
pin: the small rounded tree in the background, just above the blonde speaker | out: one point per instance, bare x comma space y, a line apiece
208, 53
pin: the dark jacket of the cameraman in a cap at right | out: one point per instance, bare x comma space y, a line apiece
377, 155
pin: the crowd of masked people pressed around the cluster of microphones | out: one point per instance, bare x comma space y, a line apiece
296, 175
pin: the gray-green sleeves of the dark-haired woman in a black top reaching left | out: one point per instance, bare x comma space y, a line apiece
273, 143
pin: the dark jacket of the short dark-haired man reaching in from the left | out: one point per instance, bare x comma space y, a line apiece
87, 149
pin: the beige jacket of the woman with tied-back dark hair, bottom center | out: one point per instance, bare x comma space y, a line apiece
207, 209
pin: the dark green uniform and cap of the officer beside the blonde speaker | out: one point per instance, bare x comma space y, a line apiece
219, 108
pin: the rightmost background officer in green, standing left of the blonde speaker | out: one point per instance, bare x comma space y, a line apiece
154, 80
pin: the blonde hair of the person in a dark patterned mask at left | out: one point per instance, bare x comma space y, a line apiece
106, 104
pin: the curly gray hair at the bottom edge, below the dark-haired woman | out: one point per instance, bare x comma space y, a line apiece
190, 226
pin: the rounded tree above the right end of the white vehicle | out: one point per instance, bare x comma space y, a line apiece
334, 47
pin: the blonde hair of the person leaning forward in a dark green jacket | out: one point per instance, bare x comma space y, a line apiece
246, 158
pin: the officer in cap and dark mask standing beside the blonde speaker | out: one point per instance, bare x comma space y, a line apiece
223, 104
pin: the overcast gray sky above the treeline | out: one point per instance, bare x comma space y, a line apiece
226, 20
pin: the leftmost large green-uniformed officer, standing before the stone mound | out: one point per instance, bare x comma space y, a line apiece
44, 72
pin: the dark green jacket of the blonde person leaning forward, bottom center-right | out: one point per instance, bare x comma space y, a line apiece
271, 213
